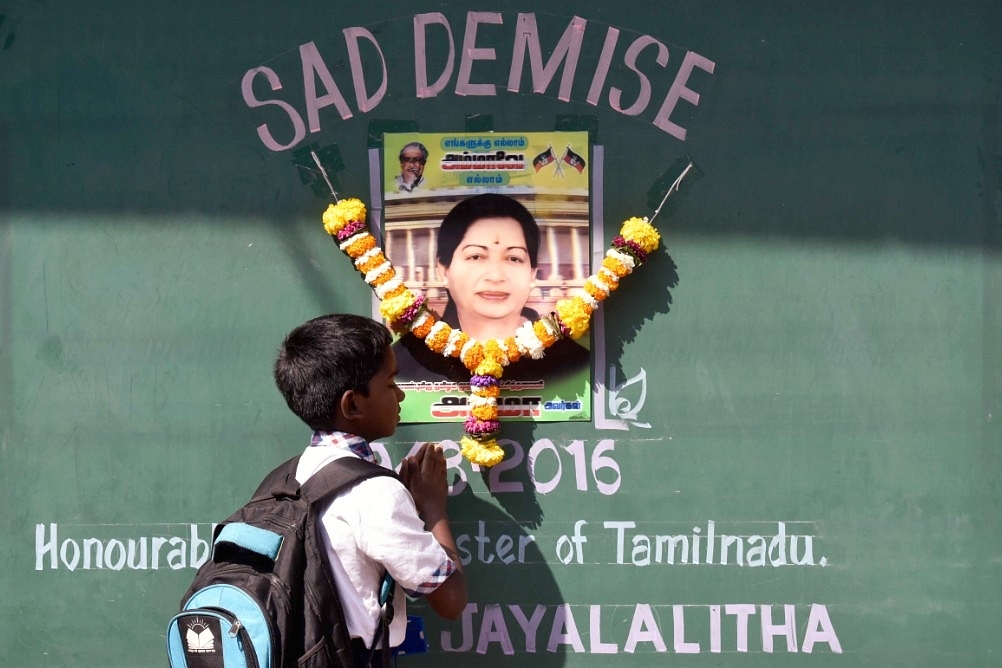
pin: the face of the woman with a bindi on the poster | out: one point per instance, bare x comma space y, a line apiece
490, 276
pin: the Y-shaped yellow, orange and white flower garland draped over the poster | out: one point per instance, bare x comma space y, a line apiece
405, 312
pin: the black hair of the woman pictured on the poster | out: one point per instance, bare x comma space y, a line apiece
488, 206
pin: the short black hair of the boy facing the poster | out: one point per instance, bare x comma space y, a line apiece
323, 359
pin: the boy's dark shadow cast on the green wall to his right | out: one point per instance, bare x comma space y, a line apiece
512, 584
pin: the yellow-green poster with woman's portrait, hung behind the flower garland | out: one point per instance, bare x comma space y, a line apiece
492, 230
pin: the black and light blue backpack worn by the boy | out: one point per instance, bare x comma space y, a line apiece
266, 597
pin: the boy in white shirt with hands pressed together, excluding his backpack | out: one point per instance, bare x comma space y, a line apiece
338, 374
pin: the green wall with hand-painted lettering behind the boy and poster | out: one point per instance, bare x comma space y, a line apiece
821, 340
